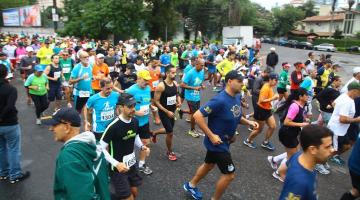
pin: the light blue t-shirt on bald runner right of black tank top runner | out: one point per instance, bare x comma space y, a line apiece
193, 78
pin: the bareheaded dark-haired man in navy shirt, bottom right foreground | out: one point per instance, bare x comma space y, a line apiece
300, 181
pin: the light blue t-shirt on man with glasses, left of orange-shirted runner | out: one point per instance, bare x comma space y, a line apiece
83, 85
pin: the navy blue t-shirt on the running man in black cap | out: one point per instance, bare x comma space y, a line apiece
224, 115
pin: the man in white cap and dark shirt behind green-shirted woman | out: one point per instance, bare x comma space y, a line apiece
27, 64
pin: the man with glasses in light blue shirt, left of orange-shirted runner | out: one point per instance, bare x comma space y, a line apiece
81, 77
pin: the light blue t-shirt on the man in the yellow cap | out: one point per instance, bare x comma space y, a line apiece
143, 100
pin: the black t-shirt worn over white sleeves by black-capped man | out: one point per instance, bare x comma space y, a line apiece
121, 138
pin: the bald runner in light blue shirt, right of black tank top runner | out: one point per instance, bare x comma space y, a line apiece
193, 83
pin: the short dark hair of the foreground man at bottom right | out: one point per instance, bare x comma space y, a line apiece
312, 135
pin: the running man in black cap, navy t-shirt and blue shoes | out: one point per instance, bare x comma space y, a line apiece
224, 115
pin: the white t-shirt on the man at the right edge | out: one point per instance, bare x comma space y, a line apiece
345, 106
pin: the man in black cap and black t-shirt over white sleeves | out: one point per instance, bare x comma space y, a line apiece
120, 137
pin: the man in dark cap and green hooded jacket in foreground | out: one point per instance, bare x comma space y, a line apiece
81, 170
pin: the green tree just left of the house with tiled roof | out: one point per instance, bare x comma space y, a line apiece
285, 19
